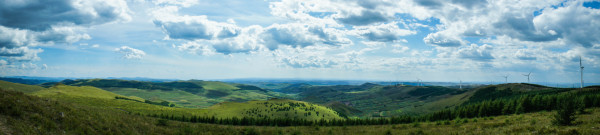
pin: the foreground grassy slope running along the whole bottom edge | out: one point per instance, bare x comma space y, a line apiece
23, 114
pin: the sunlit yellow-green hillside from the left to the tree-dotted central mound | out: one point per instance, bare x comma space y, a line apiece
274, 108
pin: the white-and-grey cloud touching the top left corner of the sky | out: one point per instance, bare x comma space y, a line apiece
41, 15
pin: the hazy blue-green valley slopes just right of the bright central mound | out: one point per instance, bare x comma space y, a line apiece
378, 100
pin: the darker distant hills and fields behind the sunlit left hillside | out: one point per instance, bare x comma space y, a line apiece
190, 94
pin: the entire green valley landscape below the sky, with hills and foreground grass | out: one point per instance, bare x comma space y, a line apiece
324, 109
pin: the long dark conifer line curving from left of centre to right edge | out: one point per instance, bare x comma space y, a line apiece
515, 105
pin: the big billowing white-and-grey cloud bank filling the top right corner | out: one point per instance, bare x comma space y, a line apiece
552, 21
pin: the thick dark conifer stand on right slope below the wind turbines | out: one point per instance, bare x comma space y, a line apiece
523, 104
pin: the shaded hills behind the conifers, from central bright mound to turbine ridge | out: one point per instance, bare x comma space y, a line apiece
394, 100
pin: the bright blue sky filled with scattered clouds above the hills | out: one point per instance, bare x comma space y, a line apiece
387, 40
